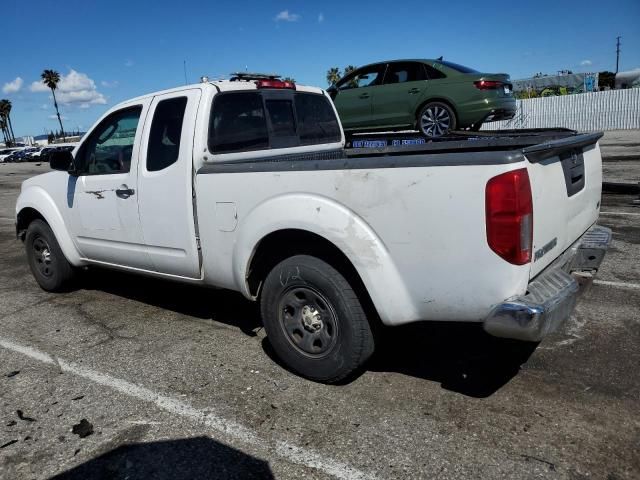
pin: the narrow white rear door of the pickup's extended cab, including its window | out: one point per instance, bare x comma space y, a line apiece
165, 175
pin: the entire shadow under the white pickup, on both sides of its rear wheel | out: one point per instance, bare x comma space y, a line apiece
461, 356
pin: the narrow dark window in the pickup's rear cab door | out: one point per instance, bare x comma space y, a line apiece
166, 129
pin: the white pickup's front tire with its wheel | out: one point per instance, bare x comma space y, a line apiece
48, 264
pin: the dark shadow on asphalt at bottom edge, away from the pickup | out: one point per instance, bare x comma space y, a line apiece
183, 459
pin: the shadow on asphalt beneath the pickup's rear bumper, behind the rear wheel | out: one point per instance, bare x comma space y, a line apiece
461, 356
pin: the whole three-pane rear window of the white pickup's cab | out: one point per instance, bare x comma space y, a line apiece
246, 121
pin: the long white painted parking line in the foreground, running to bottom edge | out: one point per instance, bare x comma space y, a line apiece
285, 450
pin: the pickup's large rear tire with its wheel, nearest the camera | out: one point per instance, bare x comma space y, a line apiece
314, 320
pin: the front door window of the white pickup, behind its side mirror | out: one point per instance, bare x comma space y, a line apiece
110, 146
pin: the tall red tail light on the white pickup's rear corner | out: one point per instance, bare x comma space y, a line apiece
509, 216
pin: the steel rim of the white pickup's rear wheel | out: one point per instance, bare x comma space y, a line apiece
309, 321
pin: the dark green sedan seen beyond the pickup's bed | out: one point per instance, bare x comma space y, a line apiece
432, 96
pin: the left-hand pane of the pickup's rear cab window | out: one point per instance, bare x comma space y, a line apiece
237, 123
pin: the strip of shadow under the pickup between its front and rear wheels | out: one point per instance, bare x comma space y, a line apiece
223, 306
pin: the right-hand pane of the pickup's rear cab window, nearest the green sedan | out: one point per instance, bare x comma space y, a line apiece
317, 121
